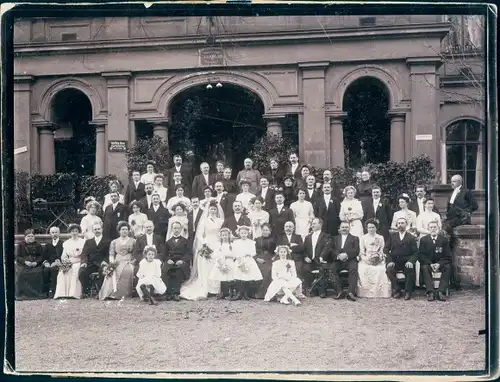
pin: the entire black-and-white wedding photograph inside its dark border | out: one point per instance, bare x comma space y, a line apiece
250, 193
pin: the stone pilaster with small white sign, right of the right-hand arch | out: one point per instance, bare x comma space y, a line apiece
424, 101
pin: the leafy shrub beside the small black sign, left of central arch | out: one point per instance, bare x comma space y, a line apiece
151, 149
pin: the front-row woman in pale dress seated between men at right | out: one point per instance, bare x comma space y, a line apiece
372, 279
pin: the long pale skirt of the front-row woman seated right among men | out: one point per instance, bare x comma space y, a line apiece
373, 281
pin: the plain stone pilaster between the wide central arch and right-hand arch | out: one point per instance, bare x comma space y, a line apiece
313, 129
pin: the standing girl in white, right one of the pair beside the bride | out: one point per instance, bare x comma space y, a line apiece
246, 270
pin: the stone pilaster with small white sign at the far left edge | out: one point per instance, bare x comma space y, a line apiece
24, 160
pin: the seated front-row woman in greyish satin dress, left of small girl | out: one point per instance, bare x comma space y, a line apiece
119, 273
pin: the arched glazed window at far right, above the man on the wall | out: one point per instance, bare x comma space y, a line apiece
464, 152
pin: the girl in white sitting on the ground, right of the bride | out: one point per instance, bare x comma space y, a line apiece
285, 278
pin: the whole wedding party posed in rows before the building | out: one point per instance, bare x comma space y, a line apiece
274, 234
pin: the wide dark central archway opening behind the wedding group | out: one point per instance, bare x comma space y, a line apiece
218, 122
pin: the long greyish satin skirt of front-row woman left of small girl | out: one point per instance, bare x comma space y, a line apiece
119, 284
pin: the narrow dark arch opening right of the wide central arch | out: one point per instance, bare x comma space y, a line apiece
367, 127
